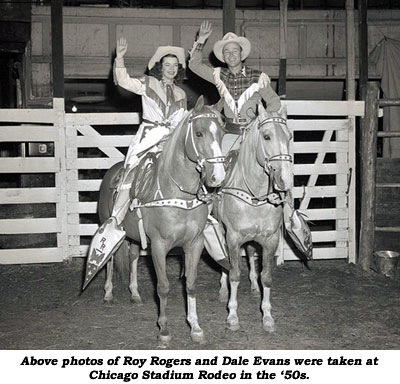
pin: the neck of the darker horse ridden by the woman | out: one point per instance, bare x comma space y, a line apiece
175, 168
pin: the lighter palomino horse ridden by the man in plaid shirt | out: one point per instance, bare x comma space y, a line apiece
249, 209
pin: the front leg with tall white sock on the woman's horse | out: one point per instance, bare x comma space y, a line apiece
192, 257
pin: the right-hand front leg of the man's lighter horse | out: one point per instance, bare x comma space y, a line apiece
269, 250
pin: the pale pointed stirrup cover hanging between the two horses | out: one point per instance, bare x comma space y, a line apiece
215, 244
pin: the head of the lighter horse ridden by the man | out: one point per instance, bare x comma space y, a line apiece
273, 147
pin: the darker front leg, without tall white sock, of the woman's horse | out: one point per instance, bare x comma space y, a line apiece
159, 254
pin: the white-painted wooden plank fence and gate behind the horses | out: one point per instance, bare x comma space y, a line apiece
86, 145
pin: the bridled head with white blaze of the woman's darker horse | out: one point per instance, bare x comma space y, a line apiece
203, 143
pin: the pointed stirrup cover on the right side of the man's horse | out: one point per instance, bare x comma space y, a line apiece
298, 230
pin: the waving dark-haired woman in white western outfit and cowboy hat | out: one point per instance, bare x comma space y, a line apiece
164, 106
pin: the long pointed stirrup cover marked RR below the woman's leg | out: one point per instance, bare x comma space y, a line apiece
107, 239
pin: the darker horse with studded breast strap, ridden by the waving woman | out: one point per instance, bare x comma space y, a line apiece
174, 216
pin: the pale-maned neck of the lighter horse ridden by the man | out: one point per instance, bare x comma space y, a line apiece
247, 172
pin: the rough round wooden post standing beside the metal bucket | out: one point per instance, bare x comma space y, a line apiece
369, 128
